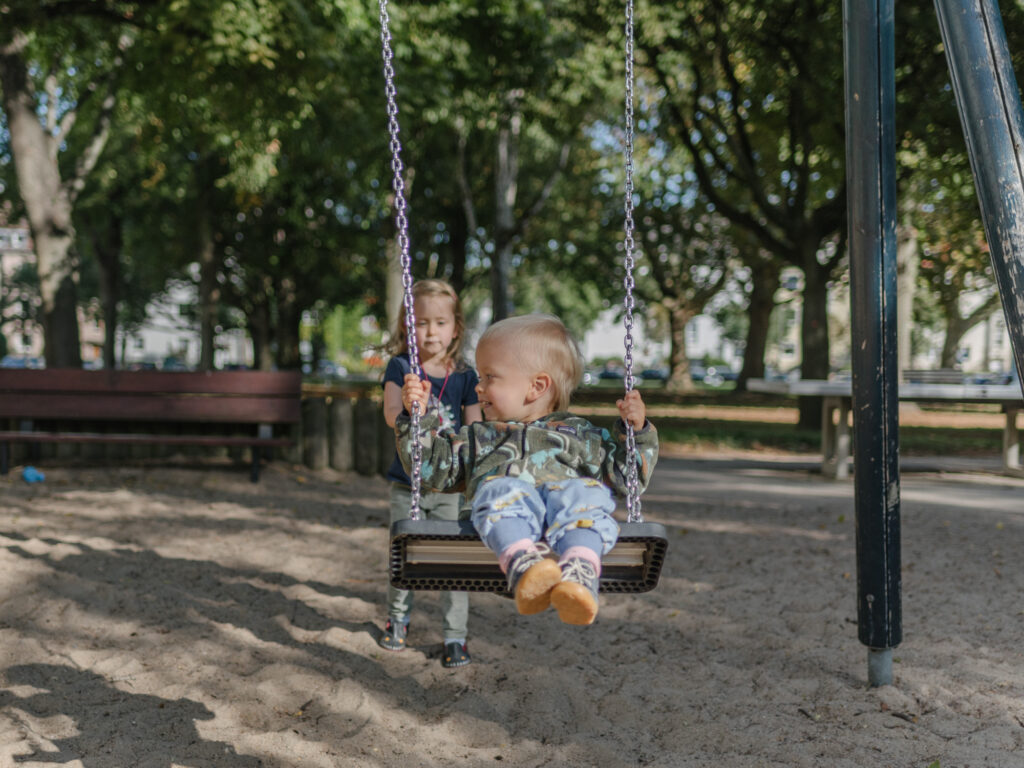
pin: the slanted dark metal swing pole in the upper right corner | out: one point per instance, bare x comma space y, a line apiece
990, 106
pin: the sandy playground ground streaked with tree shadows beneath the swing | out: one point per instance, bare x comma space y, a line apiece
159, 617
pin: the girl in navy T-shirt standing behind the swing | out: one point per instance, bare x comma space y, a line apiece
441, 331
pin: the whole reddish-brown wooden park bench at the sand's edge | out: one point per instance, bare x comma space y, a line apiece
222, 408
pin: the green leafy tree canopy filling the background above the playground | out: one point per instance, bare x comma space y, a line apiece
242, 147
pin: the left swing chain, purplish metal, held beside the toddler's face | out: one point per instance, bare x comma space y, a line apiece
402, 229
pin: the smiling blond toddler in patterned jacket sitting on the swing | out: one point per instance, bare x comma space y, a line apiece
532, 470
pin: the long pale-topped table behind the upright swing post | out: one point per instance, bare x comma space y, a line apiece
838, 400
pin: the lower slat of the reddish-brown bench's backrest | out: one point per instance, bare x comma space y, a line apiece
244, 410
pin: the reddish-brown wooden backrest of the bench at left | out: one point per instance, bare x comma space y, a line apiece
222, 397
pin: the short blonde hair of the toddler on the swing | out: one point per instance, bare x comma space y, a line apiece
542, 345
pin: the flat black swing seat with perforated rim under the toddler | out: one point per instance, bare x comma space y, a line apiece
443, 556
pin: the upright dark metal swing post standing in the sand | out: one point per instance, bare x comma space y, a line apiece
871, 161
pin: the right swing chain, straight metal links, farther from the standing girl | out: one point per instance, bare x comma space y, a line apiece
632, 481
